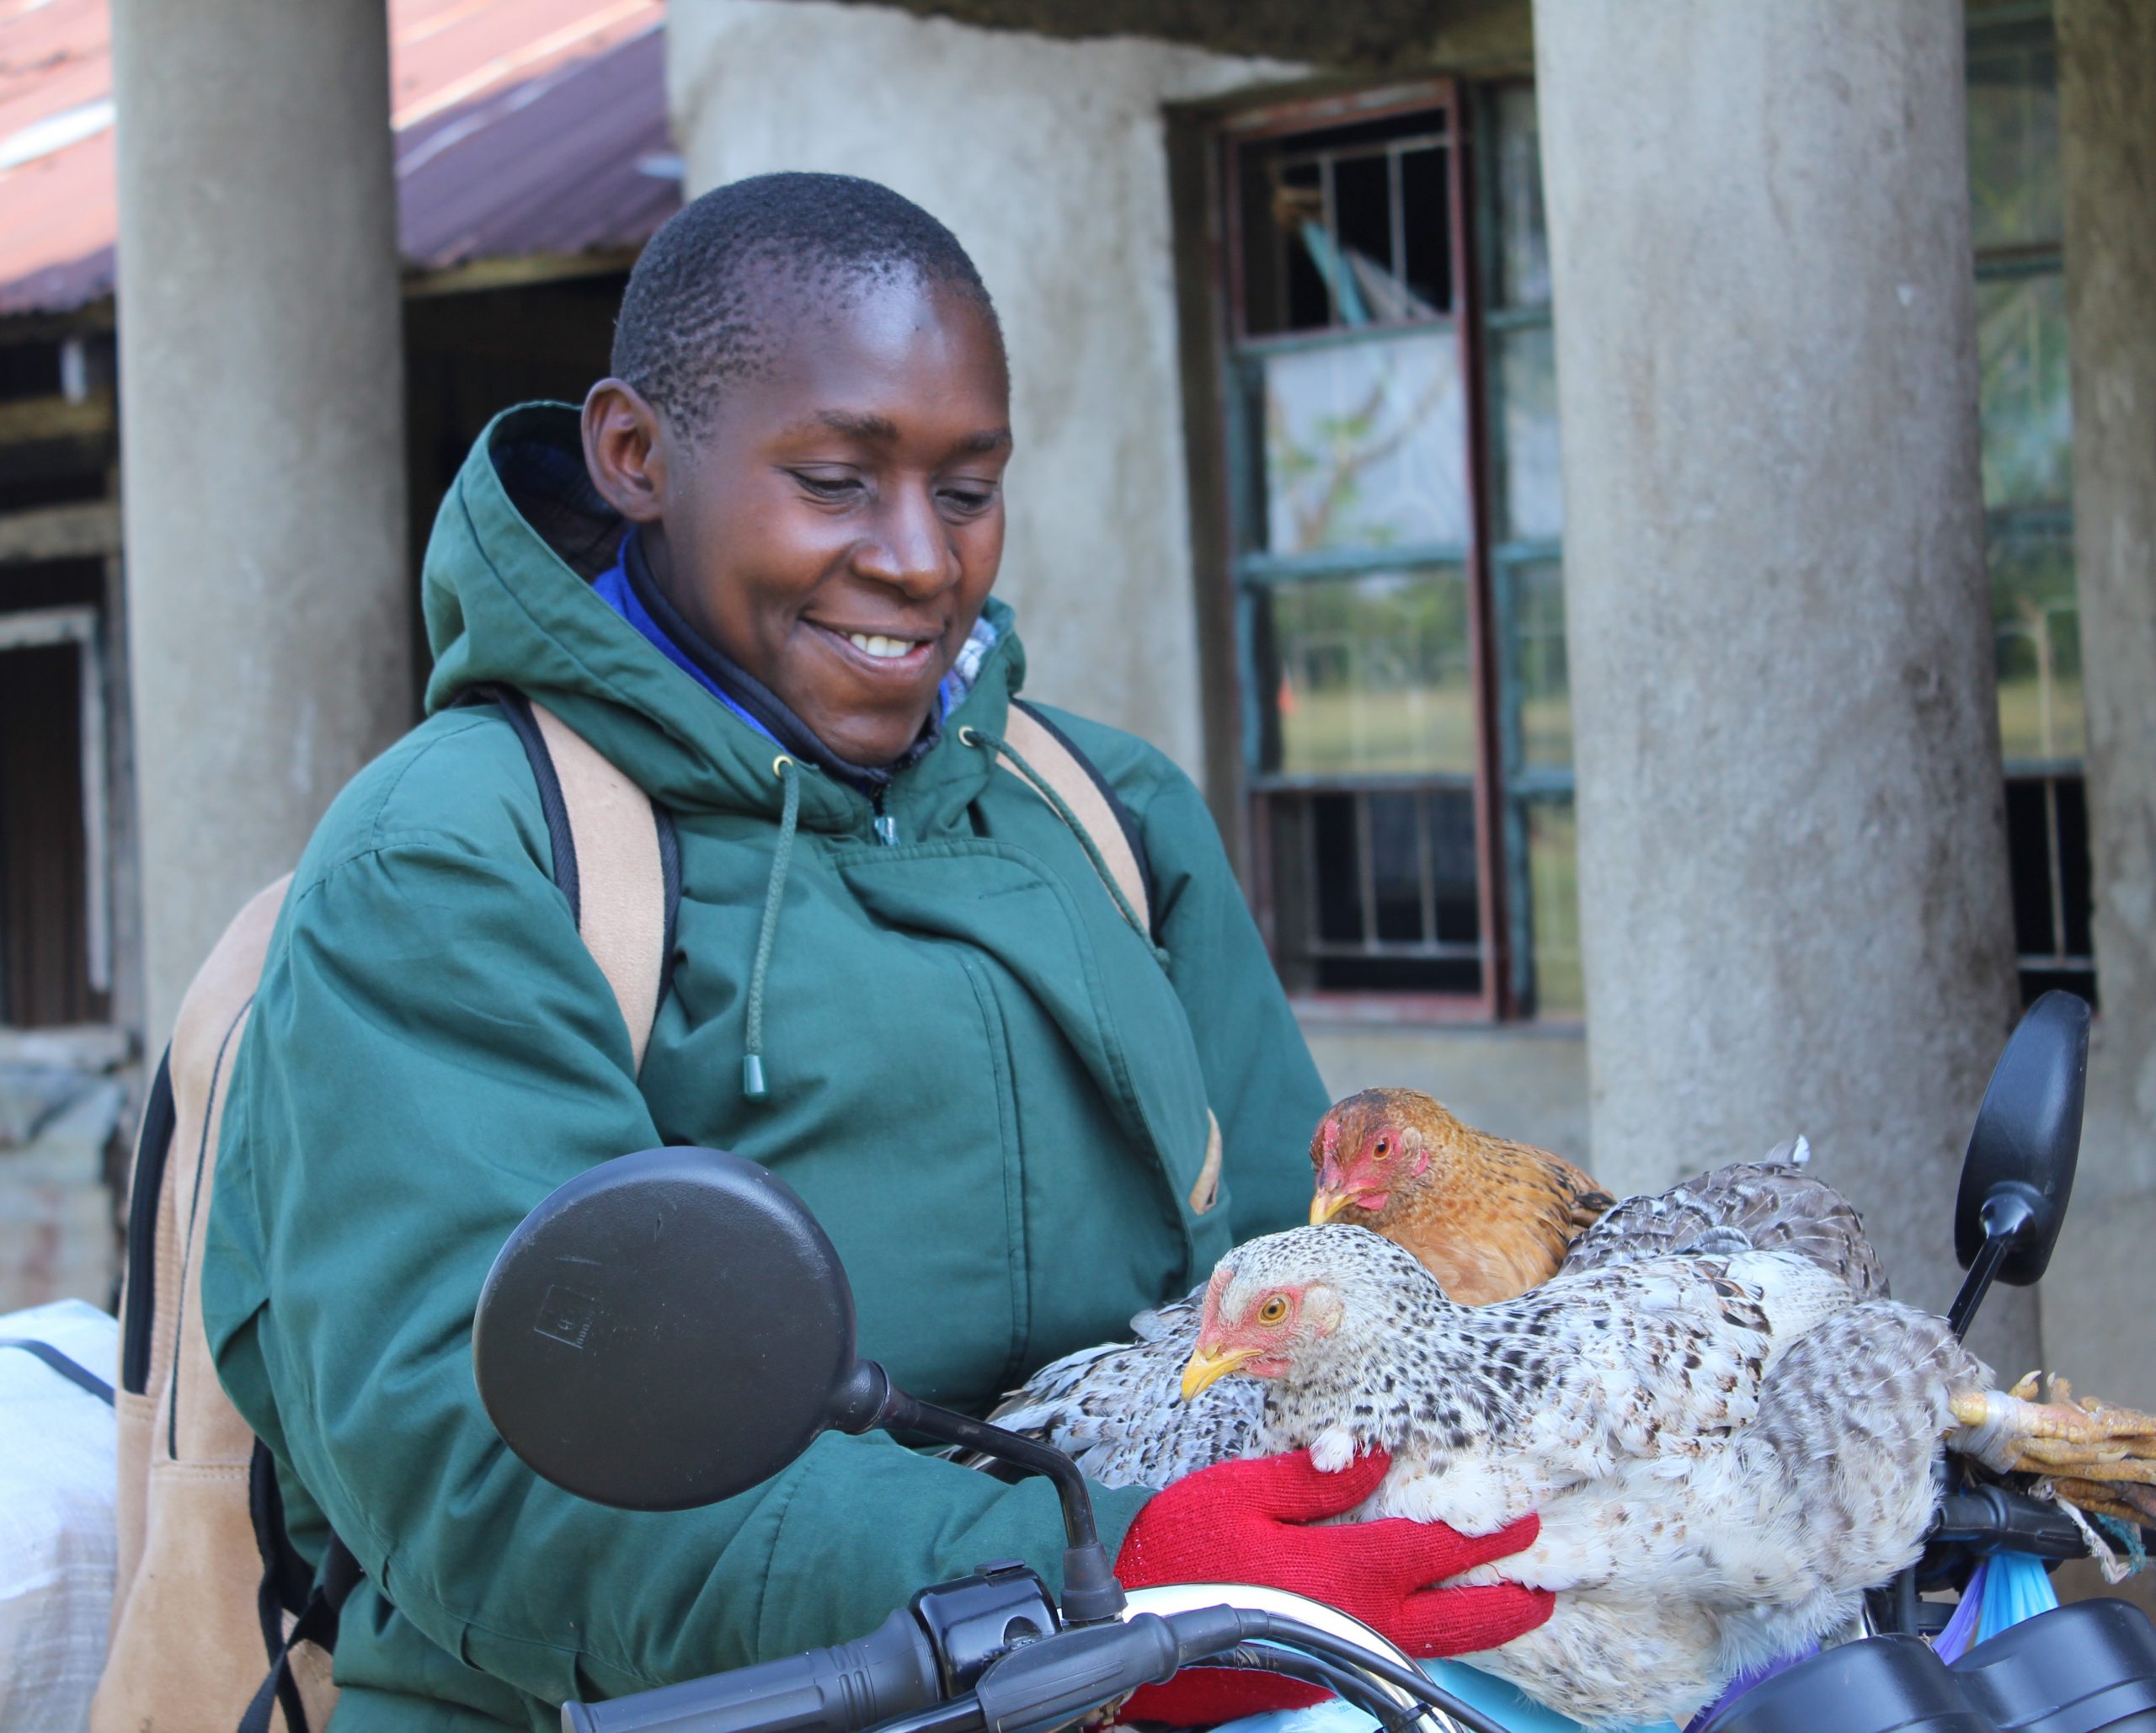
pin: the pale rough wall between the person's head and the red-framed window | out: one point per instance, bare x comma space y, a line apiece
1049, 163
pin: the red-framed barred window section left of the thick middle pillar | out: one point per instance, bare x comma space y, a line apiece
1362, 596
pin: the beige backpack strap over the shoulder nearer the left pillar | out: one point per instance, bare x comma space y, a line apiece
620, 893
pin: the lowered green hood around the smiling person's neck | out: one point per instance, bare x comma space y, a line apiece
510, 602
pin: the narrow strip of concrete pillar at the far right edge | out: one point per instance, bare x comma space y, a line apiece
2107, 117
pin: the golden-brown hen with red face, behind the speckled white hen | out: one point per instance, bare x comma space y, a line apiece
1487, 1217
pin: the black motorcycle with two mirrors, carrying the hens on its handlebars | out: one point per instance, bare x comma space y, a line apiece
592, 1314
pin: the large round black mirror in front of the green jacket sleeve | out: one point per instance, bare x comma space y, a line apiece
665, 1331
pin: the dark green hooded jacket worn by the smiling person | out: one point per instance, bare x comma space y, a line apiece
982, 1079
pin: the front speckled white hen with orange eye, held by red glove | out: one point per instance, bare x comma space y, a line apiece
1724, 1452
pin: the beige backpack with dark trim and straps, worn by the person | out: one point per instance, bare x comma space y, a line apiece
208, 1588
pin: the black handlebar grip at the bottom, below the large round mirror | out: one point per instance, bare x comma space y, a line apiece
851, 1687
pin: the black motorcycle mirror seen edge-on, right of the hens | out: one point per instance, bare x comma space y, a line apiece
2021, 1161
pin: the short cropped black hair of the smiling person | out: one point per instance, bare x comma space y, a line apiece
702, 301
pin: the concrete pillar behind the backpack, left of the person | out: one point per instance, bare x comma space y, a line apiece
262, 441
